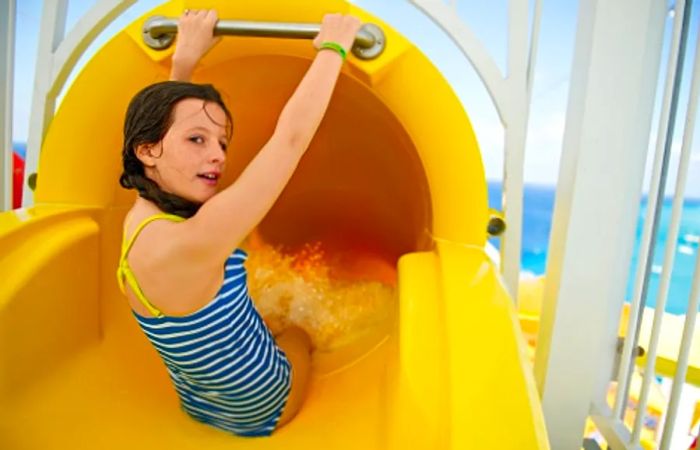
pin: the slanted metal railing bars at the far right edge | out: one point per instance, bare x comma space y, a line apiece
611, 423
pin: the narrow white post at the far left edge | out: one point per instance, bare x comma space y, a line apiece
7, 67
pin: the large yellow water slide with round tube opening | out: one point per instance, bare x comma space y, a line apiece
394, 171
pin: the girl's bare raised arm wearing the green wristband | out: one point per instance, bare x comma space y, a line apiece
225, 220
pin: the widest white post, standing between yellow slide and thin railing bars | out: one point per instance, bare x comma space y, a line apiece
611, 100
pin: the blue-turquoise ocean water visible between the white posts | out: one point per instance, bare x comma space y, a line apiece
539, 205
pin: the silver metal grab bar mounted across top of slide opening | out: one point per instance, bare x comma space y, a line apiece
159, 33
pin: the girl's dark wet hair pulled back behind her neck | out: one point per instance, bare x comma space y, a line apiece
148, 118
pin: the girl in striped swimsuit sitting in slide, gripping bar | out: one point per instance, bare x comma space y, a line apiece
181, 268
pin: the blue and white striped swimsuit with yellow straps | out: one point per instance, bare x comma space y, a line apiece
225, 365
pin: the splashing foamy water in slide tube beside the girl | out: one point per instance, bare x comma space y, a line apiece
299, 290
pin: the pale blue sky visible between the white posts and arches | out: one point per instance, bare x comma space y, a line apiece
488, 20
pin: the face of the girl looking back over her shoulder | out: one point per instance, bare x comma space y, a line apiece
190, 158
